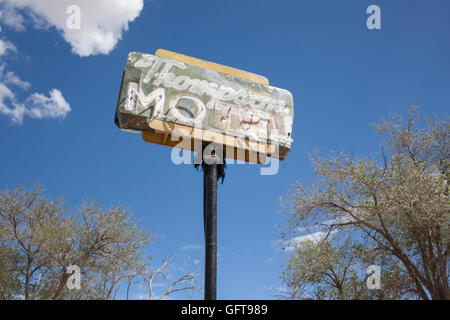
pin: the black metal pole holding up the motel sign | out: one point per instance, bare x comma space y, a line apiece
210, 177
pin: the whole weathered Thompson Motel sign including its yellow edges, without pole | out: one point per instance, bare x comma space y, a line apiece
185, 102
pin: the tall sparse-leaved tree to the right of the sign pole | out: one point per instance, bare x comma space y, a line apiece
393, 213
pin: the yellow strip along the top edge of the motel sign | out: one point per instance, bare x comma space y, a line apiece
212, 66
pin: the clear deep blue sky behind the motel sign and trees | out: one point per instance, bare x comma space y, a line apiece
342, 75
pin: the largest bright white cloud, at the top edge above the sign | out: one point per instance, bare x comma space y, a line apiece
102, 21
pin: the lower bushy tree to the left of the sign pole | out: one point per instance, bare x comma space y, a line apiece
39, 241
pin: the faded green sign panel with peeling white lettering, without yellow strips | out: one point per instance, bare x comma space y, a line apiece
156, 88
